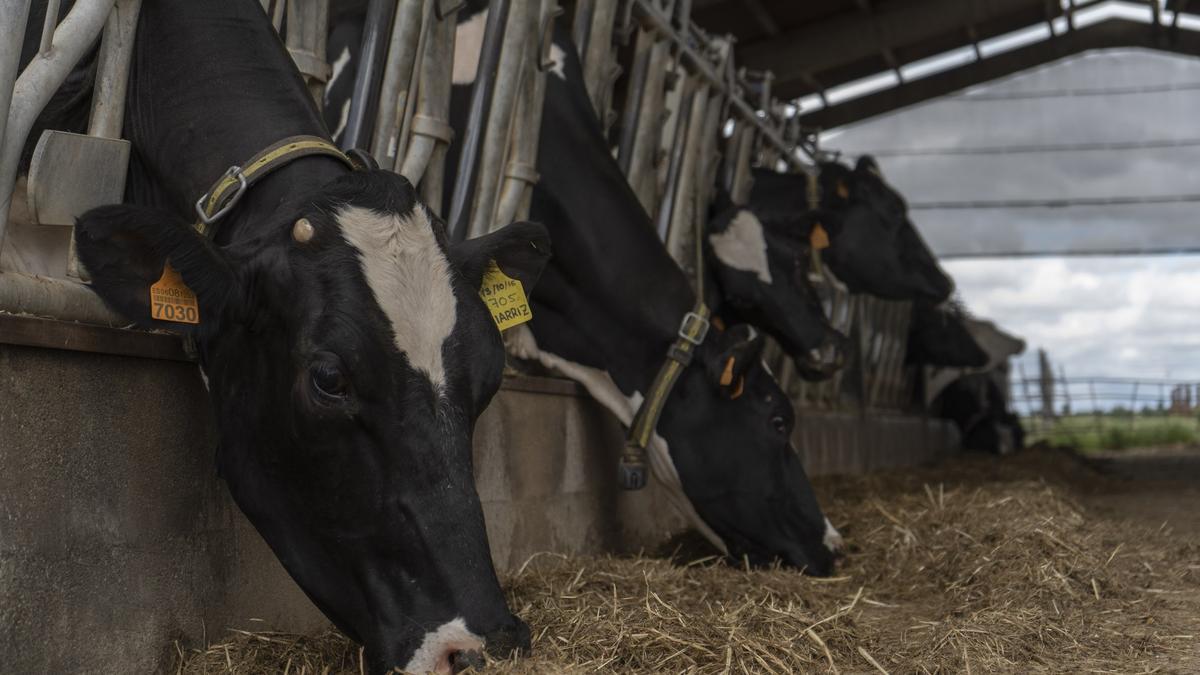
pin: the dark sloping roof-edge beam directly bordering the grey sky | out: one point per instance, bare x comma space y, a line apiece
1113, 33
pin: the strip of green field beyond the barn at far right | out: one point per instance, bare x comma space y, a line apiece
1114, 433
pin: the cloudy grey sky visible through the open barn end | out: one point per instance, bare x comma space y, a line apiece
1135, 316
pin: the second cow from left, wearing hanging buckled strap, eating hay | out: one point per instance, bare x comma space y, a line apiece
607, 312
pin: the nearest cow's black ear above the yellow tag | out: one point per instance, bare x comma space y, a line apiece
520, 250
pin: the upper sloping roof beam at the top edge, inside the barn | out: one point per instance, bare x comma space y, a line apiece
839, 41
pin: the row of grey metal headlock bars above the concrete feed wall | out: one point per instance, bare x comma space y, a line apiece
681, 116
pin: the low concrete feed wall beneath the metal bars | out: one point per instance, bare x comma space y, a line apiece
117, 537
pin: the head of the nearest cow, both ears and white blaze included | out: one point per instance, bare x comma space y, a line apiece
349, 355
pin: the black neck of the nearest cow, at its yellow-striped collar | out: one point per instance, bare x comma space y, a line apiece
212, 86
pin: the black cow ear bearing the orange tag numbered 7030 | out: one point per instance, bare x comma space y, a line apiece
127, 252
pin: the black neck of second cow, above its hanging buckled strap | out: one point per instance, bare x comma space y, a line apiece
627, 295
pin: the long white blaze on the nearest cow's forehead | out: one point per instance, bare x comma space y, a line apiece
410, 277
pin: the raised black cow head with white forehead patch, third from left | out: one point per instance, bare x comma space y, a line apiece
763, 268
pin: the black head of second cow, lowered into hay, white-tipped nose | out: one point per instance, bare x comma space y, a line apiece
729, 427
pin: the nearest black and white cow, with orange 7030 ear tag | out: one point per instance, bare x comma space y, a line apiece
345, 343
